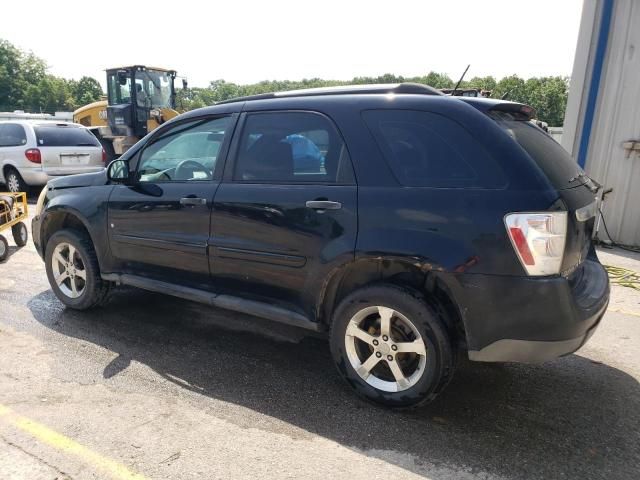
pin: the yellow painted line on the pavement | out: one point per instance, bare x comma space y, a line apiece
67, 445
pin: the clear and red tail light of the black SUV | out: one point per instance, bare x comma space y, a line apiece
539, 240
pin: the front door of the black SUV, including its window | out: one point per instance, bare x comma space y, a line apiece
159, 227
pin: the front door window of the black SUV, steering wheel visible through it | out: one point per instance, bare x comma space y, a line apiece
187, 152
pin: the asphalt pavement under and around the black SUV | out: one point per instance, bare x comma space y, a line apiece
161, 388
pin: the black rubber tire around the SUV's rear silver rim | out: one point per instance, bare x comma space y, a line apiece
439, 360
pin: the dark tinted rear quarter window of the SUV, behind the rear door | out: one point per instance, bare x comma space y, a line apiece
426, 149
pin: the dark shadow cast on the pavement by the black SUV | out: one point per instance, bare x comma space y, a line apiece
571, 418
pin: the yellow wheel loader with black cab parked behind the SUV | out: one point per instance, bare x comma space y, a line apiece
139, 99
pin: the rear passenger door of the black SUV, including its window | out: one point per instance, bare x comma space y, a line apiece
286, 214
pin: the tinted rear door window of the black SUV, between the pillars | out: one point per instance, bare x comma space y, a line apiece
291, 147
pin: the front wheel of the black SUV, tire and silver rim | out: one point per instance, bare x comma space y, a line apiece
73, 270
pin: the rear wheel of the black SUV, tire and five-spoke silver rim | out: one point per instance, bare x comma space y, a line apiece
391, 346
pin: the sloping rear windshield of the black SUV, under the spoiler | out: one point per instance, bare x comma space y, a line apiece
561, 170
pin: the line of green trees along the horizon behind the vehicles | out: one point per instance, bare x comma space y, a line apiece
25, 84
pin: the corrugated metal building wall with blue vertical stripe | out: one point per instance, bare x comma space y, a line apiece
602, 121
